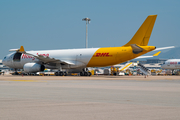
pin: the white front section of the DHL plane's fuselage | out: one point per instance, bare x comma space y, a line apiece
78, 58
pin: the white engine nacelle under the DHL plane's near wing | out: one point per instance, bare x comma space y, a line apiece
33, 67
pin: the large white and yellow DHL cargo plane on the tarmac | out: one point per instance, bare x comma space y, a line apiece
77, 60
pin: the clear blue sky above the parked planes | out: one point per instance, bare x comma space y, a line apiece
57, 24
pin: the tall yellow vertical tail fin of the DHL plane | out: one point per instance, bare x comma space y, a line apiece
144, 32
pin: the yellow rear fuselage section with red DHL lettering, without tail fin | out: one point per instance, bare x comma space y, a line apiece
114, 55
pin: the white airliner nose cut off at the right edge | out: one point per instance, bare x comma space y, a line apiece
171, 64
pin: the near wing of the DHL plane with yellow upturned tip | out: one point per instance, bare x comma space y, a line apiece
43, 58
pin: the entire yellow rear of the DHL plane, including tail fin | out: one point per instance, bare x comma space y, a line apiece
137, 46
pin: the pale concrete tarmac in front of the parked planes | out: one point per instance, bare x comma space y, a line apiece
89, 98
